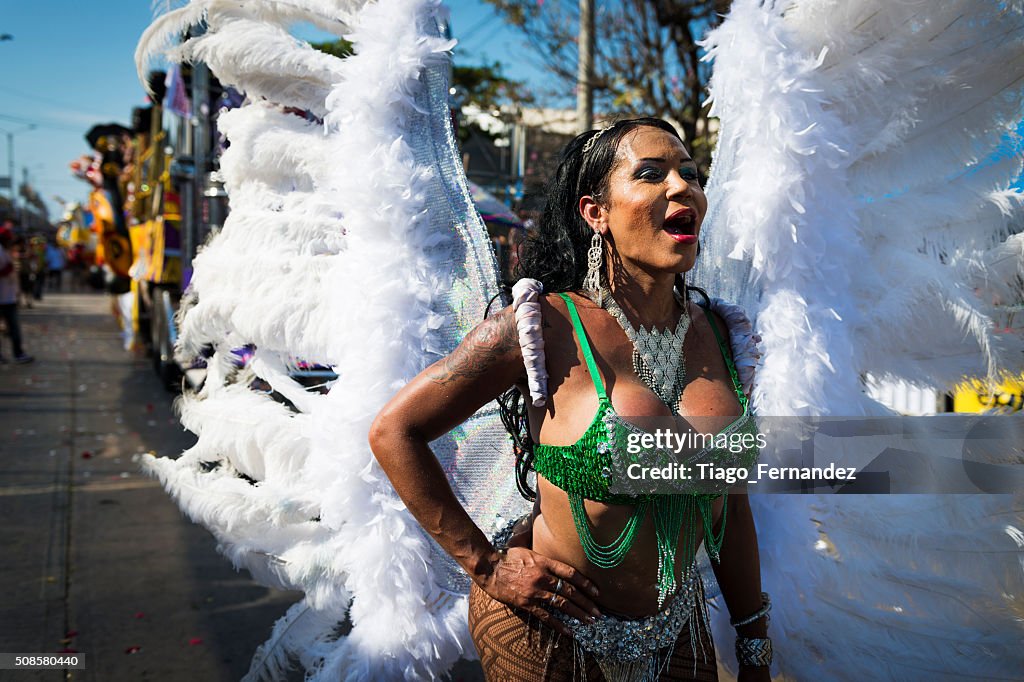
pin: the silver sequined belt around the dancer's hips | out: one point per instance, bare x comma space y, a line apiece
623, 641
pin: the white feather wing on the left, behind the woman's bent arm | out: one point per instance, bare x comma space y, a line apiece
355, 245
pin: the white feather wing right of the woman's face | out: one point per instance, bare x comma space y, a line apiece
862, 208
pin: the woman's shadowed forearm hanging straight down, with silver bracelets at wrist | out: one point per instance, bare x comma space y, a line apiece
739, 574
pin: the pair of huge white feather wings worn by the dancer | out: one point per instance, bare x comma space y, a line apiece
833, 218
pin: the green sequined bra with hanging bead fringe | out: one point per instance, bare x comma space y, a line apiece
593, 468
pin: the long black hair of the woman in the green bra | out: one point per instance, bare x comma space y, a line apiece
557, 252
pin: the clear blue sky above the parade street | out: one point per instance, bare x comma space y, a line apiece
71, 66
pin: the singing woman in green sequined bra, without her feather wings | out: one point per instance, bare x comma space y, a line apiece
632, 607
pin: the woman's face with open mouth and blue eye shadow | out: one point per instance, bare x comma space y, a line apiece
654, 207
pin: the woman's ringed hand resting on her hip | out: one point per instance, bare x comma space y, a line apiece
533, 583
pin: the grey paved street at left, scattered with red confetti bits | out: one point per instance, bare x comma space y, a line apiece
97, 558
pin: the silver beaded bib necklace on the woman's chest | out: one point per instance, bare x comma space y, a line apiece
658, 355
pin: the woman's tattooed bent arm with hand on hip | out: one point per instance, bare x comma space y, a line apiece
443, 397
